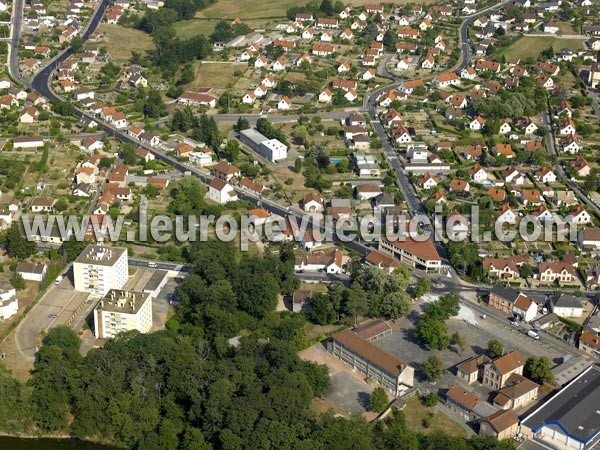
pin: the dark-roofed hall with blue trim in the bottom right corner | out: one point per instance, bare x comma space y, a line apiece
570, 419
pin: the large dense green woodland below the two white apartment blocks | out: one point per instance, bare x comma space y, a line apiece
187, 388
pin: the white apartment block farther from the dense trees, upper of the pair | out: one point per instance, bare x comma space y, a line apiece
98, 269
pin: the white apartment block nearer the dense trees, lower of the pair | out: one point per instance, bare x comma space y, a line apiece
122, 311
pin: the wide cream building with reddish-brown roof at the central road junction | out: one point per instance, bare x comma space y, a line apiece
419, 254
